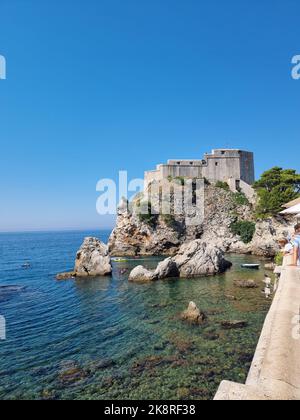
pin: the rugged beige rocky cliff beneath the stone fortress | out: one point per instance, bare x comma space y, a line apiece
163, 235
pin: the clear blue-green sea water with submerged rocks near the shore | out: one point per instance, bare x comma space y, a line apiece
107, 339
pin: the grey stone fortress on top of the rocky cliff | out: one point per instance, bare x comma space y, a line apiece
233, 166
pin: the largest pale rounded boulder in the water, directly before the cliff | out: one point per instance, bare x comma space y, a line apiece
200, 259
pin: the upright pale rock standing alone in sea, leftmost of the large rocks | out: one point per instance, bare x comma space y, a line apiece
93, 259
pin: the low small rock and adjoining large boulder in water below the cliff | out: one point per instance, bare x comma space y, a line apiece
194, 259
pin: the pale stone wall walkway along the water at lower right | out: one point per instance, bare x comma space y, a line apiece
275, 370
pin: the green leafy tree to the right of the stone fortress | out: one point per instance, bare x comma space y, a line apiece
275, 188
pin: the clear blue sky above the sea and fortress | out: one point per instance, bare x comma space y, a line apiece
98, 86
